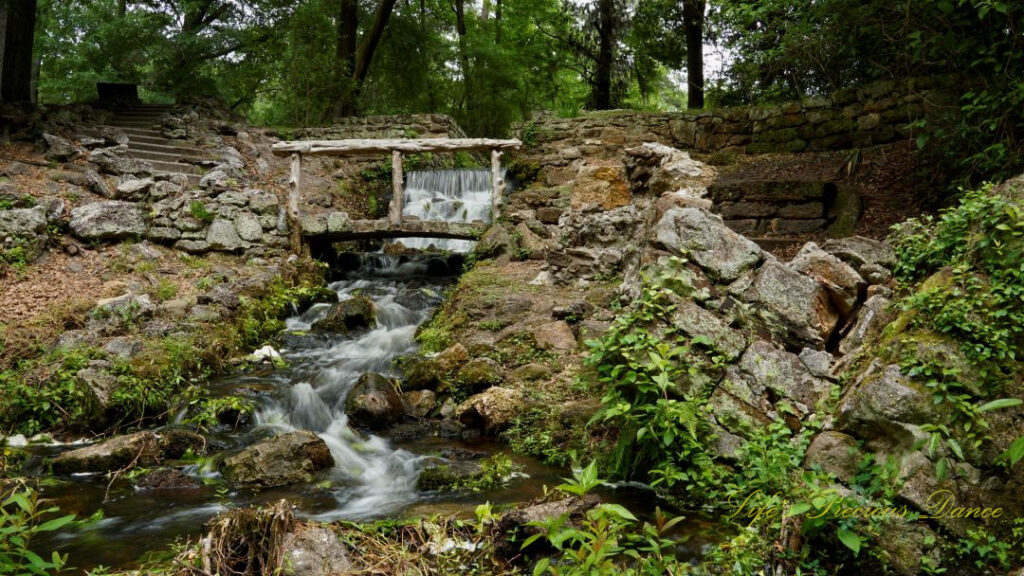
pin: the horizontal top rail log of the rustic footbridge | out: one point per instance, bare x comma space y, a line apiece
385, 146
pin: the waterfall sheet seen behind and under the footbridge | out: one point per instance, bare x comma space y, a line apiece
452, 196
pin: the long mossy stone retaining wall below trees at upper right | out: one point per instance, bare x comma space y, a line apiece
880, 113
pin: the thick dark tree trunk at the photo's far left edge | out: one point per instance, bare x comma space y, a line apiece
20, 29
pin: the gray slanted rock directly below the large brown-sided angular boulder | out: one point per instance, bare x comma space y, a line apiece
783, 373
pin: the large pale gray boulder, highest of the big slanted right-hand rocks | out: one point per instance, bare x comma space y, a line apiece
705, 238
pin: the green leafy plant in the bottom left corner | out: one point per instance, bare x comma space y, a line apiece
22, 518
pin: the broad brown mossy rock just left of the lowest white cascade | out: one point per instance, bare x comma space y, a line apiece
281, 461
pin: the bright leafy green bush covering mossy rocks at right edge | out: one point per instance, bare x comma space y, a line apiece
973, 259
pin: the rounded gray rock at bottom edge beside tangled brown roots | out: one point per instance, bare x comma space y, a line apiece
315, 551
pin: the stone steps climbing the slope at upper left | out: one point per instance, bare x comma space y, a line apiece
146, 142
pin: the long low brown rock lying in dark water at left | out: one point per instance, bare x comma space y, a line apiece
117, 454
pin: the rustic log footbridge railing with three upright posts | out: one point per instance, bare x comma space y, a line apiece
297, 149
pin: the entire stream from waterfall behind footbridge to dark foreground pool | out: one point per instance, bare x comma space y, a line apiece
374, 477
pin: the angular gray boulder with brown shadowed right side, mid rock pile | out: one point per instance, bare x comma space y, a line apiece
800, 304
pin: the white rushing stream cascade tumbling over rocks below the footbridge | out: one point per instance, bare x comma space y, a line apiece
373, 479
